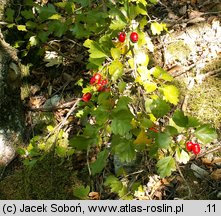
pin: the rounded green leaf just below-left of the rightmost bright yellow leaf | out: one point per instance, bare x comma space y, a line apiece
159, 108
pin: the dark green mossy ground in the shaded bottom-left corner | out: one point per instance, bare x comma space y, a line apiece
50, 178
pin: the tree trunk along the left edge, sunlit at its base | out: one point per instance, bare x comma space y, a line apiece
11, 113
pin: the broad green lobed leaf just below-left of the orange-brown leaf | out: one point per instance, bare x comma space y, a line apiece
123, 148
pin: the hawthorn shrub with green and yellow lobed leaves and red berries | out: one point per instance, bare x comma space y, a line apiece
128, 107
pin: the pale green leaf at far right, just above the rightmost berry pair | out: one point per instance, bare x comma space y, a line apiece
206, 133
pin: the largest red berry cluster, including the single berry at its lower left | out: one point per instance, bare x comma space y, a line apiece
101, 86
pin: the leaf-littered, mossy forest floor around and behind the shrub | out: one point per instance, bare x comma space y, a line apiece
56, 178
